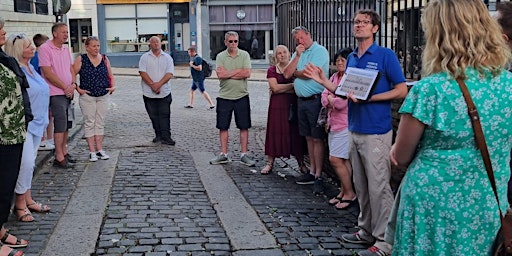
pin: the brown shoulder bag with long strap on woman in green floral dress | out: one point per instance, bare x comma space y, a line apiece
503, 242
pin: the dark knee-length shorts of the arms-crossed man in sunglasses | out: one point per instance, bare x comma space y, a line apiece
242, 109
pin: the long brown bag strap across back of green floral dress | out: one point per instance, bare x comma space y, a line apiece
479, 137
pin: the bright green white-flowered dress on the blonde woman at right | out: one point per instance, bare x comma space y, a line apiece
447, 206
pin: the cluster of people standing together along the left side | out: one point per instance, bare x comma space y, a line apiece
29, 95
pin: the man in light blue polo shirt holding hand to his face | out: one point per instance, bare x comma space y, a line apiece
309, 92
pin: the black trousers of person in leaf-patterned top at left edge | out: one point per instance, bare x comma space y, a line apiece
10, 161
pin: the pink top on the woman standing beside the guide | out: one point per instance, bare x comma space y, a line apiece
337, 116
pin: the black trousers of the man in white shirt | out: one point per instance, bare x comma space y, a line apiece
159, 111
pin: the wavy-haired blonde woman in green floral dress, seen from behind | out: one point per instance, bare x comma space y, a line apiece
447, 206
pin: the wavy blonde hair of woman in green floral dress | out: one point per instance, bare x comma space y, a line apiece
461, 34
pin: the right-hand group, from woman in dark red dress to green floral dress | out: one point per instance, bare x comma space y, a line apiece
445, 205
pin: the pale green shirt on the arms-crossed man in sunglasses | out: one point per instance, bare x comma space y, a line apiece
233, 89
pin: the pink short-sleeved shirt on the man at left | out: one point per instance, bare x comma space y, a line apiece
59, 59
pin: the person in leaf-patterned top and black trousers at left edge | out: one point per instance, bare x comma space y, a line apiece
15, 113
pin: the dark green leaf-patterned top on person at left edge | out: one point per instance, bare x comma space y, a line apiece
12, 115
